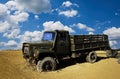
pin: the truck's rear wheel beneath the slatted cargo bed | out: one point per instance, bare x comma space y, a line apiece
91, 57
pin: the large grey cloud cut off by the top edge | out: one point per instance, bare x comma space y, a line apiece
35, 6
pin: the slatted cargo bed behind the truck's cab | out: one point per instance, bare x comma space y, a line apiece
89, 42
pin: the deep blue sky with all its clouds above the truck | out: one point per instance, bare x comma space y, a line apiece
25, 20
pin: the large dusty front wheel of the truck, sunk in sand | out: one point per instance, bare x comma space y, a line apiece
47, 64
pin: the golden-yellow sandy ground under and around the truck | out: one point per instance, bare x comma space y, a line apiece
13, 66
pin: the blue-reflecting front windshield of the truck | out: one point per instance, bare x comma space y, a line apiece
48, 36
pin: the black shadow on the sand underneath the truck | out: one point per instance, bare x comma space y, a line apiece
69, 62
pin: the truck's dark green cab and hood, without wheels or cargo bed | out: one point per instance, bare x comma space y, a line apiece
53, 44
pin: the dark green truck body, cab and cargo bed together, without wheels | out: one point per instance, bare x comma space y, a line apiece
59, 43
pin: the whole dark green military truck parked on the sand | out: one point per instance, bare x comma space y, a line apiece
58, 44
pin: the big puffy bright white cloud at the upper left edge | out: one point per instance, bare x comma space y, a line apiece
11, 14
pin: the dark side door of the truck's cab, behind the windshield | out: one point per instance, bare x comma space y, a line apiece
63, 44
